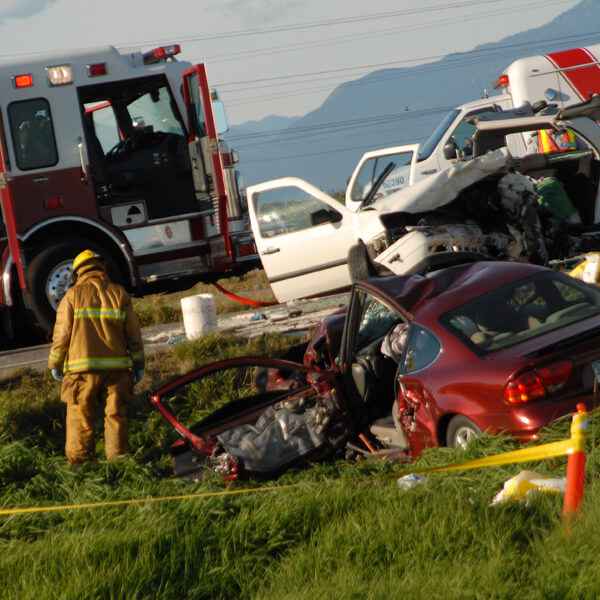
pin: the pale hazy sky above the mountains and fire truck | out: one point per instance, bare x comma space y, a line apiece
378, 31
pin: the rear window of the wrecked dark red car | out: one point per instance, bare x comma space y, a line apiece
521, 311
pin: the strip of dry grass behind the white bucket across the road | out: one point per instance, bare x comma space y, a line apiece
166, 308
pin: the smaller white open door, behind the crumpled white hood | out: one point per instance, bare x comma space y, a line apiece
371, 166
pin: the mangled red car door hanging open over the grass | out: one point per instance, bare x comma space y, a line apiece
251, 417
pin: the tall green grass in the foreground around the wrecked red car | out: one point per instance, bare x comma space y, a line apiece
345, 531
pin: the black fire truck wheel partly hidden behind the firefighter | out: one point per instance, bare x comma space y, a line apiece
46, 278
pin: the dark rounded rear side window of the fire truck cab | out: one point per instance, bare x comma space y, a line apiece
32, 134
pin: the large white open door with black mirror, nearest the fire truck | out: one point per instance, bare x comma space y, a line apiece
302, 236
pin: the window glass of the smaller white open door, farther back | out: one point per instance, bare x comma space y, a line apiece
372, 169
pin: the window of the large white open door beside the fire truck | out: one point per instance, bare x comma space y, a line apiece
287, 210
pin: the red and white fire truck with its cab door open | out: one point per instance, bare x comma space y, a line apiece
119, 153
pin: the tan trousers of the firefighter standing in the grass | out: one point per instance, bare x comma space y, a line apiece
83, 393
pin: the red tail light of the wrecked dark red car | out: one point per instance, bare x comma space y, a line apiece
536, 383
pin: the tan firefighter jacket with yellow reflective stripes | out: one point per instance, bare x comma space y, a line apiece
96, 328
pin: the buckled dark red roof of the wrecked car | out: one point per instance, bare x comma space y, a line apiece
426, 297
